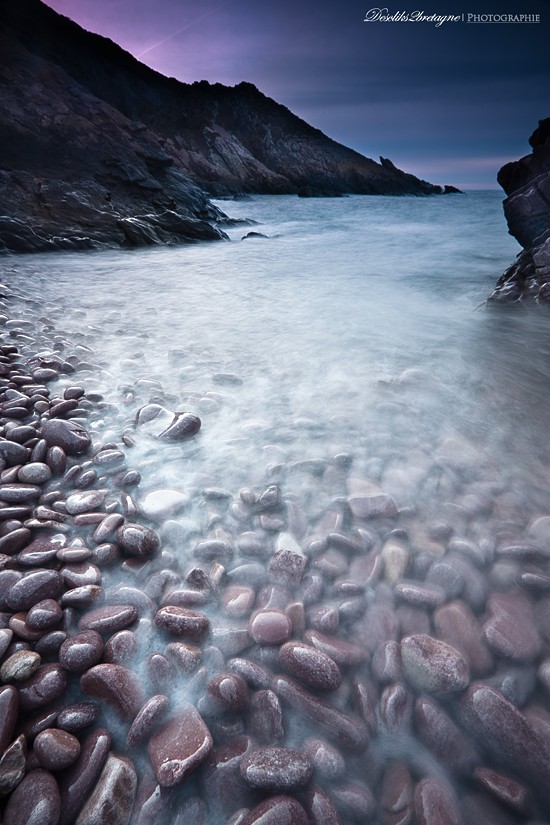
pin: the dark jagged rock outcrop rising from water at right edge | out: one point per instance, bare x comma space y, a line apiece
526, 183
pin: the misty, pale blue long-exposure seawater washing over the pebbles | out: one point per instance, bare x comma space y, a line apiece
348, 351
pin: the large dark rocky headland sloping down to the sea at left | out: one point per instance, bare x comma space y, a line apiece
100, 149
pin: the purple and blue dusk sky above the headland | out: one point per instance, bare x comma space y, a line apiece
450, 103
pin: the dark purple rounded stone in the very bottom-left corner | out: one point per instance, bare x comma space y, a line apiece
35, 800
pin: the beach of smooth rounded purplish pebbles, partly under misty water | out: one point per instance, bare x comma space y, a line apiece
274, 669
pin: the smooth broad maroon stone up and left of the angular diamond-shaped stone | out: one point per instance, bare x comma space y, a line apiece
119, 687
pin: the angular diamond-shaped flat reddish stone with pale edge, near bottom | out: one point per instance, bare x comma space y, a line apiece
179, 746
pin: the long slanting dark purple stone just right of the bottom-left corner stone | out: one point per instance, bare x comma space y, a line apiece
80, 778
